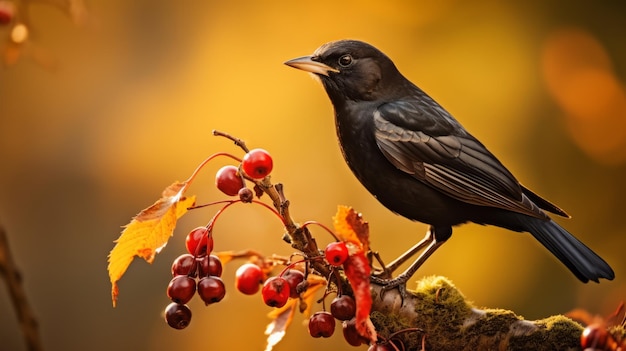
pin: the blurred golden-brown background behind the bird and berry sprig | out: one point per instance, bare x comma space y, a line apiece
139, 86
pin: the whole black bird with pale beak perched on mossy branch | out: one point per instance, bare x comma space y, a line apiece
419, 162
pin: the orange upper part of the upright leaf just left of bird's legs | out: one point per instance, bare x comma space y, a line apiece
351, 227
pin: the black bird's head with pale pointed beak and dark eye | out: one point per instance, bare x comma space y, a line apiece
352, 70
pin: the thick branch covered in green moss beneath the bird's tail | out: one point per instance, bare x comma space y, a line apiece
450, 322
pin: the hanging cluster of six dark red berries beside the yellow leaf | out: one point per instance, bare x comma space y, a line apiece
197, 271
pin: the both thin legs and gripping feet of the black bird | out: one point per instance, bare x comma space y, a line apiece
433, 239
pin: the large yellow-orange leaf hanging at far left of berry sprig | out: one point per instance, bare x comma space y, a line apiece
148, 232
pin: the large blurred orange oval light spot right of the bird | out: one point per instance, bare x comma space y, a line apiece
580, 77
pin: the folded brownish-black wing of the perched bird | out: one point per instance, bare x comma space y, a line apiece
424, 141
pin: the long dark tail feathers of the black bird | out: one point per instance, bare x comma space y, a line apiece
580, 259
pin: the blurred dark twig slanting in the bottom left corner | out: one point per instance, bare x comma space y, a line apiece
13, 279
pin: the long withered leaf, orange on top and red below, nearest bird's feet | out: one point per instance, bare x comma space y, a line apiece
354, 231
